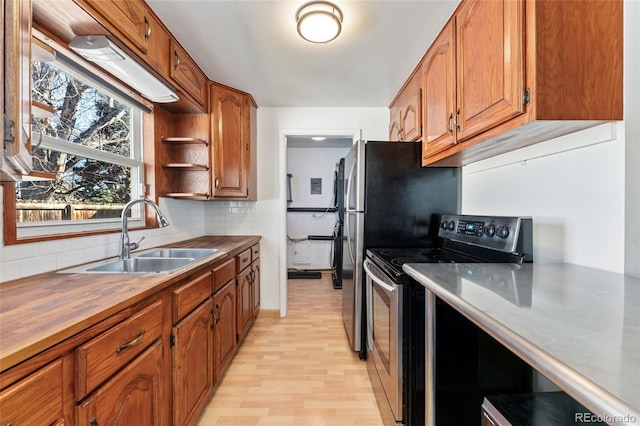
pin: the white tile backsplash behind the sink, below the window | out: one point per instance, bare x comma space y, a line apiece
186, 220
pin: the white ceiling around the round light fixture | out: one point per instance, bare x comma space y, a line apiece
253, 45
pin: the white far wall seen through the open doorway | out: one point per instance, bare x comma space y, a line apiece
305, 163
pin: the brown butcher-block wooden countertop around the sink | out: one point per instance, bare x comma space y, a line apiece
40, 311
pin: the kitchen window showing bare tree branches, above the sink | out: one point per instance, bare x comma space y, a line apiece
87, 155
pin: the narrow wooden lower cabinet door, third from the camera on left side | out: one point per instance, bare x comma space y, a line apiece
224, 330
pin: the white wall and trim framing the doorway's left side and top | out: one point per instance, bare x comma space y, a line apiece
273, 125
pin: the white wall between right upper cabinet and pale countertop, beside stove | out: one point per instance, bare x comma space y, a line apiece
573, 187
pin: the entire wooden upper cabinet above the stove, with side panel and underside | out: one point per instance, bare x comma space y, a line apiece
505, 74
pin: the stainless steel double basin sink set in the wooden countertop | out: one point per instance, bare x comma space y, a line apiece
164, 260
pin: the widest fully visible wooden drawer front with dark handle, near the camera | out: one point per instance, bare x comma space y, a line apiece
102, 356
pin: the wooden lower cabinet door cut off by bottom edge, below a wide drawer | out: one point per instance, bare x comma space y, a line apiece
131, 397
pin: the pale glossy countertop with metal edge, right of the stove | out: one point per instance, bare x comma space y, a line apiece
578, 326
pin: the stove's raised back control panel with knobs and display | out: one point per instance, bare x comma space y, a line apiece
494, 232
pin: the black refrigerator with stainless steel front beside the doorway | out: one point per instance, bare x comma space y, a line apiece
390, 202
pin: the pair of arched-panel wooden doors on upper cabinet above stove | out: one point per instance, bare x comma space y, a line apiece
474, 73
